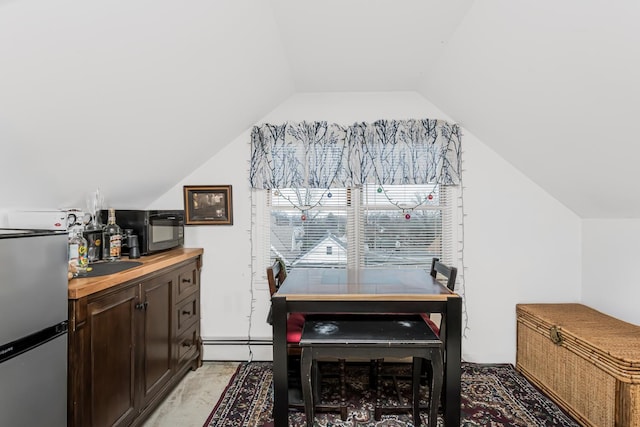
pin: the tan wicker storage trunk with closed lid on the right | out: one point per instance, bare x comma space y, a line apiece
586, 361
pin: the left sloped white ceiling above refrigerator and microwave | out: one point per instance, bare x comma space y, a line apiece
128, 96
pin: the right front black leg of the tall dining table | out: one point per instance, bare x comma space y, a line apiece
453, 356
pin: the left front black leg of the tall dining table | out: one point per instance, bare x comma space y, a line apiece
280, 381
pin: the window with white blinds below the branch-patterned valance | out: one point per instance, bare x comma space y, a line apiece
368, 226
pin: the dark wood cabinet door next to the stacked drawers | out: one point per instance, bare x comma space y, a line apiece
156, 337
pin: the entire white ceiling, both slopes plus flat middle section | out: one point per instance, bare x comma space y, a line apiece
130, 96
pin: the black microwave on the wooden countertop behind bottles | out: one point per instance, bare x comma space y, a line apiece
157, 230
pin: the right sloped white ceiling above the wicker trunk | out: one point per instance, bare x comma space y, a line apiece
553, 88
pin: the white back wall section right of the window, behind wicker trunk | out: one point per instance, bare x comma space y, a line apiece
521, 246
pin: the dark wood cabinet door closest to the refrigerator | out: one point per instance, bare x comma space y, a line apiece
111, 320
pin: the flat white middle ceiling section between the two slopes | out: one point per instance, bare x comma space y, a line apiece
365, 45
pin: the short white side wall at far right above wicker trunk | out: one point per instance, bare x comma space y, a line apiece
610, 267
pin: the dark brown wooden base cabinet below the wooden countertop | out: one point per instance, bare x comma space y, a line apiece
130, 343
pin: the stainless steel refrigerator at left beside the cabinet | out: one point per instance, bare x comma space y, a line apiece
33, 327
